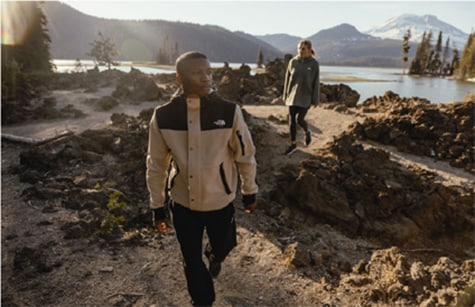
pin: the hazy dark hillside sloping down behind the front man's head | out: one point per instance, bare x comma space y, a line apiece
72, 31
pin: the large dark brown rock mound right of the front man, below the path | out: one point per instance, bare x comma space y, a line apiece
364, 193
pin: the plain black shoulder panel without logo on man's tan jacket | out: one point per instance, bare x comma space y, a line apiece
172, 115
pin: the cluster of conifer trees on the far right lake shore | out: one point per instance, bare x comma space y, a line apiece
435, 60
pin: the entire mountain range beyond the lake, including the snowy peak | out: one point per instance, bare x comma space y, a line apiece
141, 40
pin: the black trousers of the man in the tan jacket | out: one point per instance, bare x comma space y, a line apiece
190, 225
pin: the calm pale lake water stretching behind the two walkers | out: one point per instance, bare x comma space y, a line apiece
368, 82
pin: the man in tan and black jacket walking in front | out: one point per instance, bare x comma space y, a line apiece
208, 144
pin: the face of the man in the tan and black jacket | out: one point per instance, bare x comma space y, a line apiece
196, 77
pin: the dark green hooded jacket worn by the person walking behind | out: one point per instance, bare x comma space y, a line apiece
302, 82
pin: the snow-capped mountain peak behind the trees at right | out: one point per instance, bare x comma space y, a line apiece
396, 27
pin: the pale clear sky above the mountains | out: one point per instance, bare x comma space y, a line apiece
298, 18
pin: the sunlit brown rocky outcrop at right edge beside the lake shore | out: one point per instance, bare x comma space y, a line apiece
441, 131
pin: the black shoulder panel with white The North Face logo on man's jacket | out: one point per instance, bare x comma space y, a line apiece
217, 113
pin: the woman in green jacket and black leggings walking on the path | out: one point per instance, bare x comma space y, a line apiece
301, 90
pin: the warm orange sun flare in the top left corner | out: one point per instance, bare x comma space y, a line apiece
15, 20
